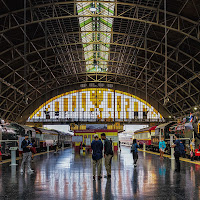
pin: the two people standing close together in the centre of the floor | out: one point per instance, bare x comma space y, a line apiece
97, 155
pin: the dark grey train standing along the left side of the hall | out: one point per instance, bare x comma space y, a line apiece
12, 133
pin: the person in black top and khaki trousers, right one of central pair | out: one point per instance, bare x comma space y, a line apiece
108, 154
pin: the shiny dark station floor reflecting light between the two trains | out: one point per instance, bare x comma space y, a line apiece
69, 176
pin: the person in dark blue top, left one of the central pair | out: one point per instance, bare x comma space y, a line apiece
97, 147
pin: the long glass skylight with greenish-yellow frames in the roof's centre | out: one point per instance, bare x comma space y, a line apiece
96, 33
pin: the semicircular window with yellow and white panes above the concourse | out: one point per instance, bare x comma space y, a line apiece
95, 104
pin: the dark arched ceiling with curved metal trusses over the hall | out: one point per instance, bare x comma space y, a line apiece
47, 52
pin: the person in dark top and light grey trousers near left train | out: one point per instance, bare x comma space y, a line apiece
26, 146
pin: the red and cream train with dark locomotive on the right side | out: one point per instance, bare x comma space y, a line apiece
187, 130
